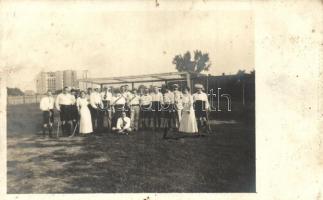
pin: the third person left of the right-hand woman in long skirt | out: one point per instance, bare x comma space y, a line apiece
156, 103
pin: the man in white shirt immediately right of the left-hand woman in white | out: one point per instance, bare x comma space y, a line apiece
95, 104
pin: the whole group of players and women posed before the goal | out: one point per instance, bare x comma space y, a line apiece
125, 111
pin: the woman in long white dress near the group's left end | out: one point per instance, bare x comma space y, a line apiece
85, 115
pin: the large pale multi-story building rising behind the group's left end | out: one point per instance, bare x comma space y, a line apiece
54, 81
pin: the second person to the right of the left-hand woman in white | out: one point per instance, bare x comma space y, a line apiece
106, 112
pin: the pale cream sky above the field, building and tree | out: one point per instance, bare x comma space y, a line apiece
113, 41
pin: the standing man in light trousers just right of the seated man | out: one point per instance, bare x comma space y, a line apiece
134, 103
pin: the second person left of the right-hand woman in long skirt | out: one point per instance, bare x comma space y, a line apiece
168, 110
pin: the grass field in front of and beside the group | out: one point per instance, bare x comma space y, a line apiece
143, 162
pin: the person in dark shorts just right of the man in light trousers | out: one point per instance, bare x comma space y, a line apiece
145, 105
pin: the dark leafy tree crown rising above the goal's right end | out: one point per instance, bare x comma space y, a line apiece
184, 63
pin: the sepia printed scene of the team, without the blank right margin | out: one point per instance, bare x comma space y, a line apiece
141, 100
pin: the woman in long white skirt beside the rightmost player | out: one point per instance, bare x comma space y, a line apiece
188, 122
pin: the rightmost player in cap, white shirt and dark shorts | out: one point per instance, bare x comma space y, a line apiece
201, 105
